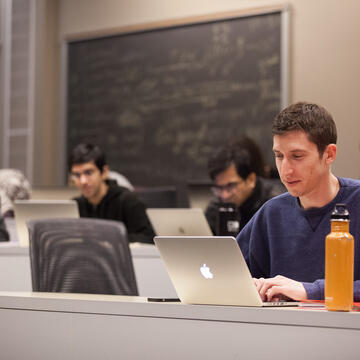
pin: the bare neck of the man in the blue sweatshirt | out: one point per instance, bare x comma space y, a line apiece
323, 195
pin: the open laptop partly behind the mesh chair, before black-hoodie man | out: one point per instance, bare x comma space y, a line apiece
26, 210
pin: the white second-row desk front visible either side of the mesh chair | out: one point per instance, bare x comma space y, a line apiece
151, 275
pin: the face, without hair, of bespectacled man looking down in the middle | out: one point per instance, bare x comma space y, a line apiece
230, 187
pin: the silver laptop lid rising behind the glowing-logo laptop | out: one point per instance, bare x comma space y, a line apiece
179, 222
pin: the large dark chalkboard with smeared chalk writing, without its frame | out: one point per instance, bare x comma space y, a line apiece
160, 101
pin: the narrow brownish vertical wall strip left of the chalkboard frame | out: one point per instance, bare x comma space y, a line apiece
47, 168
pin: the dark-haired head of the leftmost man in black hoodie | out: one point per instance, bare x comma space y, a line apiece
88, 170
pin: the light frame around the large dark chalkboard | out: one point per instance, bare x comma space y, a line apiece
283, 9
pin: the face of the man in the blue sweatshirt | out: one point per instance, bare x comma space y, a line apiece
299, 164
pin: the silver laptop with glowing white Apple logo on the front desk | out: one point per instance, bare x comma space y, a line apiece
210, 270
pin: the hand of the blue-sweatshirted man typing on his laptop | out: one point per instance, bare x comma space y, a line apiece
280, 288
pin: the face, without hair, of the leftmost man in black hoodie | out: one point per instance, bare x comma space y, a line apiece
88, 179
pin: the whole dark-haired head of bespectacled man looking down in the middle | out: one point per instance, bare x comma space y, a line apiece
233, 173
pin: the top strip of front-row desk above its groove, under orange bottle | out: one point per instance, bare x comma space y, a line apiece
139, 306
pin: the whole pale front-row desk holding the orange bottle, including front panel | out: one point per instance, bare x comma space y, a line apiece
62, 326
